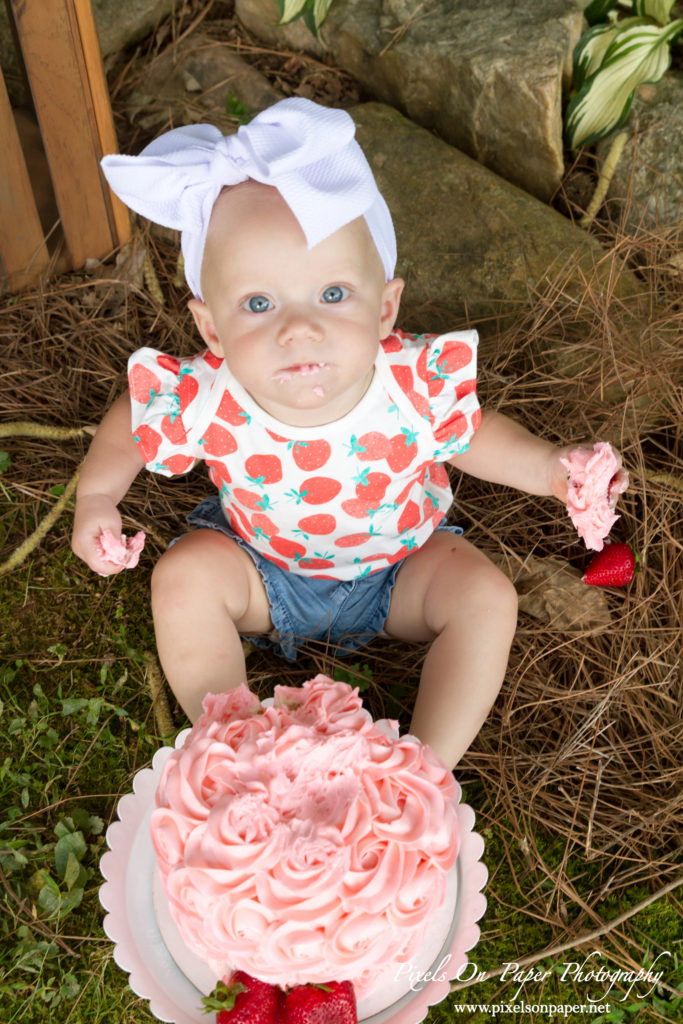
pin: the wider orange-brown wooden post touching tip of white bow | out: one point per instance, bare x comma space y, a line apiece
62, 56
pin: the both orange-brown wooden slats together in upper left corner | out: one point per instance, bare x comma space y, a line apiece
61, 53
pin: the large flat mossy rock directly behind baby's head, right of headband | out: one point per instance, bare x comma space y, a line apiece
471, 245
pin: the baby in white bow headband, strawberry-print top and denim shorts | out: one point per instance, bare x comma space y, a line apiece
324, 429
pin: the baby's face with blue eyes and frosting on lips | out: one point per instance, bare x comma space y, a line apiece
300, 328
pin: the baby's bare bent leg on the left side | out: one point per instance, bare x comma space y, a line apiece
206, 591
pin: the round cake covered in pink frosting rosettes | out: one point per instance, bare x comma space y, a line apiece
304, 843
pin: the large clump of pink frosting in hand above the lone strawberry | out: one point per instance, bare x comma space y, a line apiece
595, 482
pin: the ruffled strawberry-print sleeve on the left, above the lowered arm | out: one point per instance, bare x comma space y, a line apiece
167, 399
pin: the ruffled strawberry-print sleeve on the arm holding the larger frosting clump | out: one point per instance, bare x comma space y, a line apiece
450, 371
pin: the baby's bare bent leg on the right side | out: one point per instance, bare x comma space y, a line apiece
452, 594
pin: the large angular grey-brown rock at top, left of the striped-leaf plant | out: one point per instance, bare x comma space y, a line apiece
488, 77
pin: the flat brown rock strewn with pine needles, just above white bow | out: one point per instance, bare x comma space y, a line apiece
200, 80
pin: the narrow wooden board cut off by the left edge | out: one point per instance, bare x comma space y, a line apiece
23, 248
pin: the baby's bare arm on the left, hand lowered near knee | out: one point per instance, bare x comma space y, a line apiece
111, 466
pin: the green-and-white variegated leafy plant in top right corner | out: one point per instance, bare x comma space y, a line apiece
612, 60
